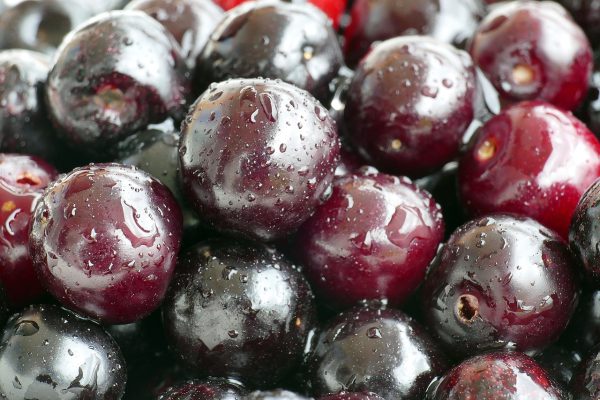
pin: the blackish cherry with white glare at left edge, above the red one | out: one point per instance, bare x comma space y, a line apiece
24, 124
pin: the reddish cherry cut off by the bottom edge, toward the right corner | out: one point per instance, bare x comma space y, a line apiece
497, 376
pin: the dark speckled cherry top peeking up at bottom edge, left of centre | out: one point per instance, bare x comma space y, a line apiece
210, 389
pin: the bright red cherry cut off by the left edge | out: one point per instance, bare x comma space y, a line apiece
22, 181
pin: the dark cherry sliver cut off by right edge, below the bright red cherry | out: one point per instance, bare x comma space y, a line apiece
584, 235
